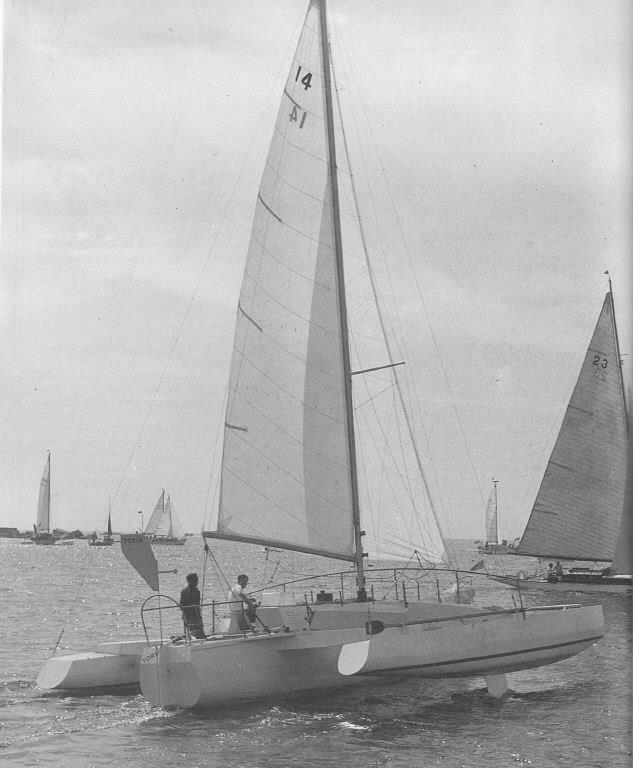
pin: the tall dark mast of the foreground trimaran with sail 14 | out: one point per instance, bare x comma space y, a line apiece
338, 252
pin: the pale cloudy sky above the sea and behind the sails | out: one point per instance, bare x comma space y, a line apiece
498, 137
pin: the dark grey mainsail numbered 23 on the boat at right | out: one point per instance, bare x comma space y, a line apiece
579, 505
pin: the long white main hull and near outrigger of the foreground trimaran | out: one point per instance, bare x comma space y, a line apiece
441, 641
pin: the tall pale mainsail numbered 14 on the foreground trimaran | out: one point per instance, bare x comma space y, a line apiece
288, 475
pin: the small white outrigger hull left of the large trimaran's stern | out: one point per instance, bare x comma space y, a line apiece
111, 664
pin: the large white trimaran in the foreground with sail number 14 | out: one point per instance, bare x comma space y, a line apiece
289, 477
